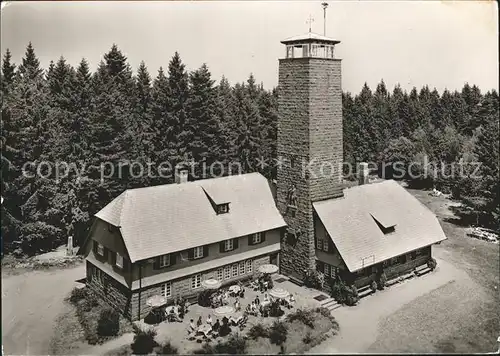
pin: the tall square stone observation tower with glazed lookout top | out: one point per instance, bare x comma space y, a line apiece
309, 142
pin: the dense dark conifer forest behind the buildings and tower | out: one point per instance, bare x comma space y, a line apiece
59, 124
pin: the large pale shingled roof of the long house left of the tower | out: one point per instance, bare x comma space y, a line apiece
169, 218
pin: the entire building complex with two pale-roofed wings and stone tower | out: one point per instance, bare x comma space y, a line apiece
165, 240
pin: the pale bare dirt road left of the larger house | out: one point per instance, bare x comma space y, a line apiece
31, 302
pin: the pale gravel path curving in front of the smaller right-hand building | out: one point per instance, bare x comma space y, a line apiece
383, 315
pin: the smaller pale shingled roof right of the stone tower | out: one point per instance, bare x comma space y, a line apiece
351, 222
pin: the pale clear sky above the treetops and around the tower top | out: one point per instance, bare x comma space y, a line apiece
442, 44
